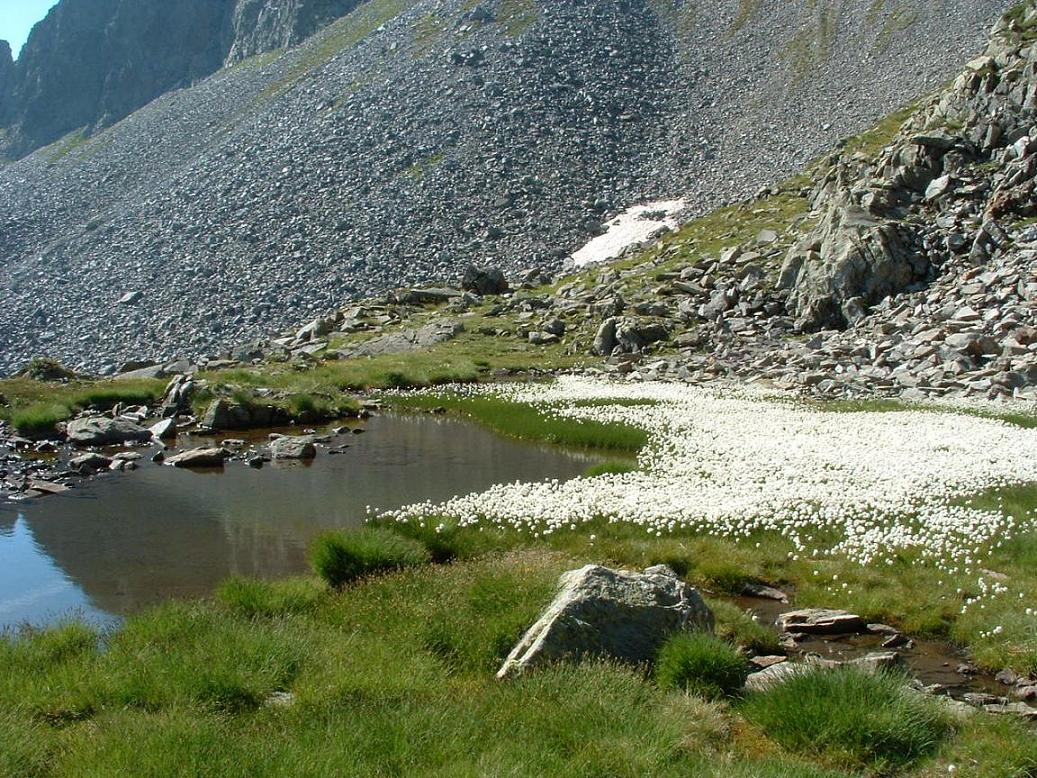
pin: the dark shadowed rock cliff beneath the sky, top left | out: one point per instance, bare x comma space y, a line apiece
92, 63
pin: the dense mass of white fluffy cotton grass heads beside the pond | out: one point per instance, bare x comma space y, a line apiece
734, 463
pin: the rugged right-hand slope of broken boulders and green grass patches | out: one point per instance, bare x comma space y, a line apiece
905, 266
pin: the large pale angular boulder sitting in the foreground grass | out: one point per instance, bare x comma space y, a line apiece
615, 615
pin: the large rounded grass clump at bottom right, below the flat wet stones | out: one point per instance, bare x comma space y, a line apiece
850, 718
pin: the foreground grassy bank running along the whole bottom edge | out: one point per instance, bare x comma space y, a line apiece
395, 676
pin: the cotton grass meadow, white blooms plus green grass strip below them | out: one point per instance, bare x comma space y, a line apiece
854, 509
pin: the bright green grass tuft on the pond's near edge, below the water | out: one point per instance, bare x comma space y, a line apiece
344, 558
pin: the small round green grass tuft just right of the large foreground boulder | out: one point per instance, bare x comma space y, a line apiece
703, 664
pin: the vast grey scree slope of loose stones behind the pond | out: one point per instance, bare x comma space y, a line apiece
413, 137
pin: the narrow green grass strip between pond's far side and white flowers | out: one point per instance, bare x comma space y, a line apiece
527, 423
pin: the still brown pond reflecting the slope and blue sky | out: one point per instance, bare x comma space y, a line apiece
123, 542
